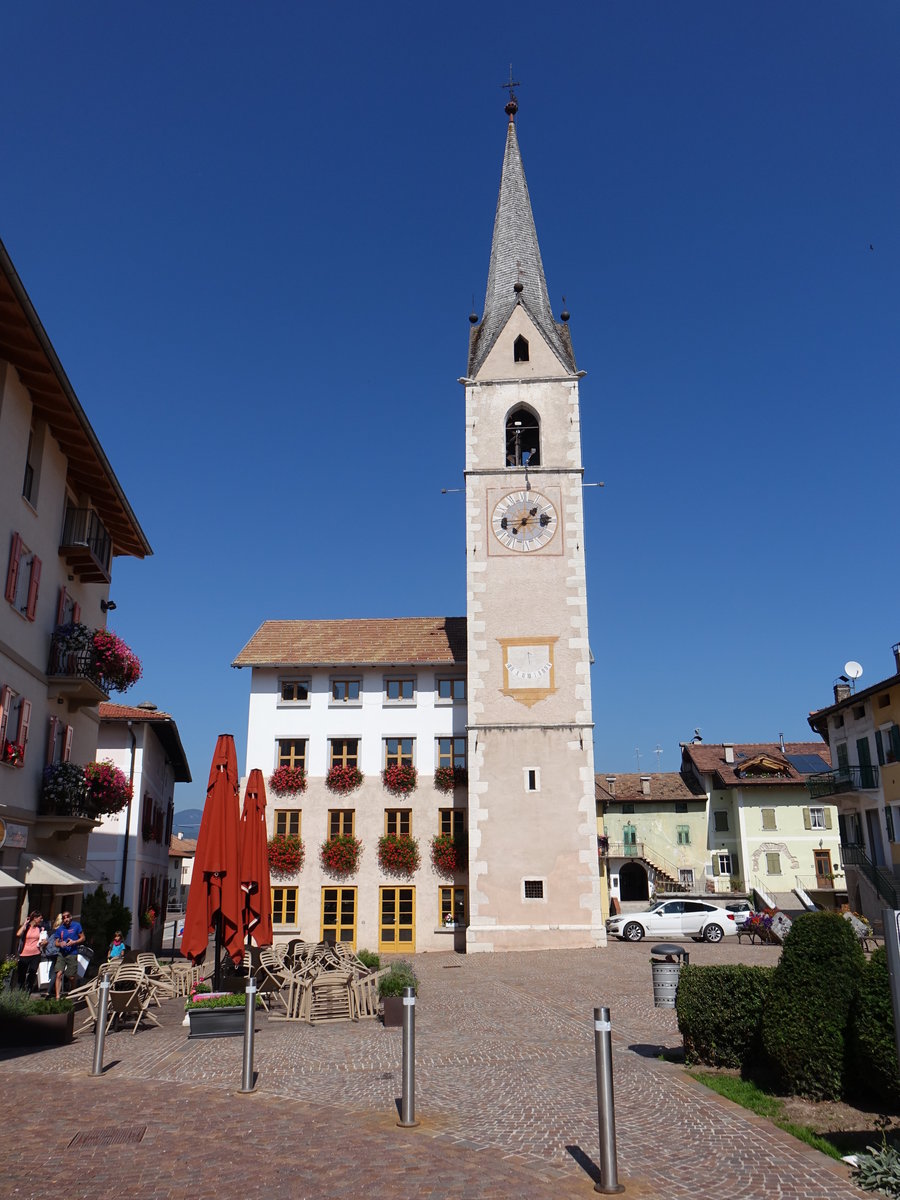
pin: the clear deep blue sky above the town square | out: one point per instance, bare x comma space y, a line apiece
254, 235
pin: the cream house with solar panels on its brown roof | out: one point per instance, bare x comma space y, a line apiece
765, 833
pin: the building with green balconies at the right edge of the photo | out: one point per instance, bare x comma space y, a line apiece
863, 731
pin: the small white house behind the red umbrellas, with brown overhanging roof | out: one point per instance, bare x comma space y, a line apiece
129, 851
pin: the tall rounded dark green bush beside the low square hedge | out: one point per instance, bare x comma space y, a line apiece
807, 1017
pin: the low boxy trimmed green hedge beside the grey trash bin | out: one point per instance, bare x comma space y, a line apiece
719, 1012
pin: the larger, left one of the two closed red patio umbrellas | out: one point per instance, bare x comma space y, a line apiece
215, 901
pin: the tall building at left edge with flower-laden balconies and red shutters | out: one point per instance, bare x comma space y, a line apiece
64, 518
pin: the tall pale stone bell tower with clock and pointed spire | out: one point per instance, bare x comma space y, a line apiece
535, 880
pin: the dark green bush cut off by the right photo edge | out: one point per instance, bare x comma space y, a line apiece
873, 1047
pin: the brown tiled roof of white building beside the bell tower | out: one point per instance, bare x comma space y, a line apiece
379, 641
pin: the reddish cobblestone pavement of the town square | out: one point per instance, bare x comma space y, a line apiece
506, 1093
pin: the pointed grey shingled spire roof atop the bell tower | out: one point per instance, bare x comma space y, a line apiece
517, 273
